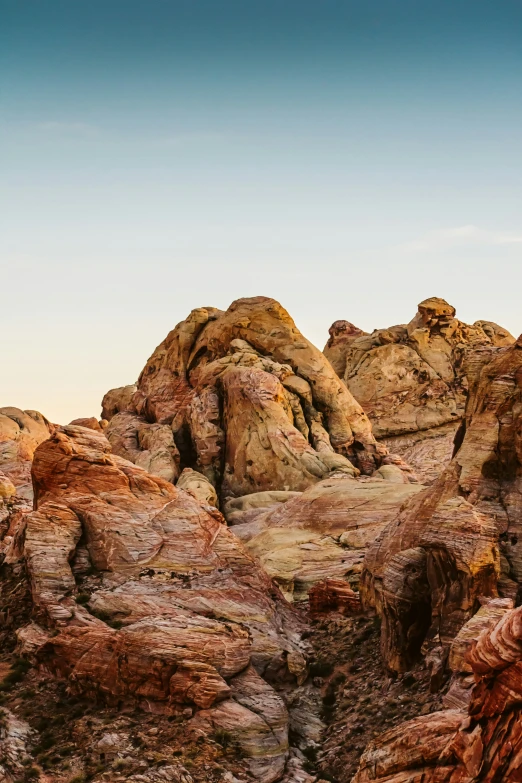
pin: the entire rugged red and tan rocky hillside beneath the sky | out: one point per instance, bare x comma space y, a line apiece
233, 575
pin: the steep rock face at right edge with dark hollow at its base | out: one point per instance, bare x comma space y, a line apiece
459, 540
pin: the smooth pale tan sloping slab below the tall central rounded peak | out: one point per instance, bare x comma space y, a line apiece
323, 532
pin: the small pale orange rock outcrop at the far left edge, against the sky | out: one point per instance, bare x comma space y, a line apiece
20, 434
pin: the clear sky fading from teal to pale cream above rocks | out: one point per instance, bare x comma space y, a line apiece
347, 158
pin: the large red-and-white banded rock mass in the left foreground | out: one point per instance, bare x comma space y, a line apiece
174, 613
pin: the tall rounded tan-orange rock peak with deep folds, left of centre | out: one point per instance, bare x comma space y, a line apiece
242, 397
